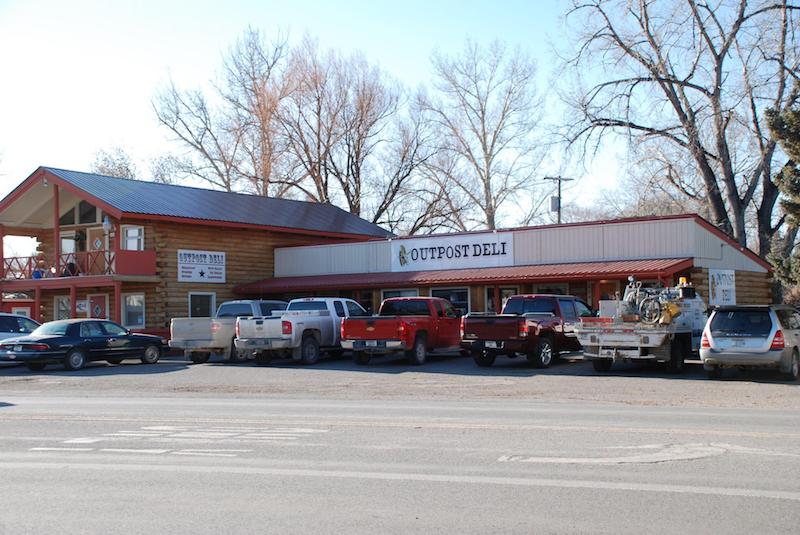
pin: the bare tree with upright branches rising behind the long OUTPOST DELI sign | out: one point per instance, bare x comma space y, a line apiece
484, 106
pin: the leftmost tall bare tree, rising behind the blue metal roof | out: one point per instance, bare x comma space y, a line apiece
232, 143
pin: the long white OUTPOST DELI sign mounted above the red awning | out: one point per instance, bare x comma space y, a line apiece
492, 249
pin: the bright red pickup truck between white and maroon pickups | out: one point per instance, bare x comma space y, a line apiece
416, 325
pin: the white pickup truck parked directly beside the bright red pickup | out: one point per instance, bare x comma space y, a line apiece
306, 327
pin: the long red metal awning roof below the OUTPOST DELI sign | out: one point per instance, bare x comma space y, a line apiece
541, 273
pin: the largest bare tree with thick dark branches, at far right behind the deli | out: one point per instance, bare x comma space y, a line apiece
689, 81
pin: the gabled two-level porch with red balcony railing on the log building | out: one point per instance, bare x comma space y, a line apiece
78, 242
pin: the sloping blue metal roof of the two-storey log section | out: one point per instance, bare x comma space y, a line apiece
156, 199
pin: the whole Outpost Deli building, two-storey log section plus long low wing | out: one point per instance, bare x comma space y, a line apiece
142, 253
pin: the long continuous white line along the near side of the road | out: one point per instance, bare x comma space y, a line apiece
419, 477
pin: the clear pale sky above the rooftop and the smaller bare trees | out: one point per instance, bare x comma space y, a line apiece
79, 75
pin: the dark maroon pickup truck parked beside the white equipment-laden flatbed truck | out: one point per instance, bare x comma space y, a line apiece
535, 326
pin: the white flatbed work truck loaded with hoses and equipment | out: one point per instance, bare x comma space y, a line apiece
653, 324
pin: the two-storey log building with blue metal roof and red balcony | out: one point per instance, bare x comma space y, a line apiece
141, 252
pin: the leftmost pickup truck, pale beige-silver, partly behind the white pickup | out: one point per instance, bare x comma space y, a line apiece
200, 337
